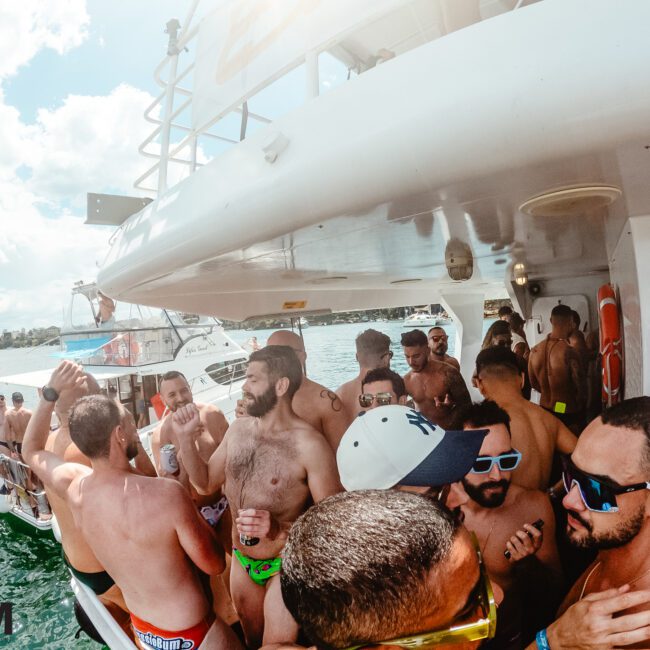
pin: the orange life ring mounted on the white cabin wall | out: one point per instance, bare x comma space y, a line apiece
611, 345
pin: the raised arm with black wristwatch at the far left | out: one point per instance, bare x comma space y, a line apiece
51, 469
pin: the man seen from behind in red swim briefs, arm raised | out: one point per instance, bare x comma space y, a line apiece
153, 559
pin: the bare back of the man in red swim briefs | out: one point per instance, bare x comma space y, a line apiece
137, 535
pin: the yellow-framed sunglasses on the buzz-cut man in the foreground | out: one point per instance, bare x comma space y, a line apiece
481, 602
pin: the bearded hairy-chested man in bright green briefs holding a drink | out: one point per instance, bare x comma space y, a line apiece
273, 466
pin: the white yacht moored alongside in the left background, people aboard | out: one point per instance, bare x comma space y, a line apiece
128, 355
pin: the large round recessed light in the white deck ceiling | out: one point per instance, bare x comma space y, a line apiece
571, 201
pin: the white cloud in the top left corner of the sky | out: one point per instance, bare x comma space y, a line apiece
27, 26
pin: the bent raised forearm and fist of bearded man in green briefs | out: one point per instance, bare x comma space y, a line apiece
205, 477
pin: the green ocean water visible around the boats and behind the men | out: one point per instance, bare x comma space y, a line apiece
32, 574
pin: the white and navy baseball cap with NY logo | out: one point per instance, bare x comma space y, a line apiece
396, 445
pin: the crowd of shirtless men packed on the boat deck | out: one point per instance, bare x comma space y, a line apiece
391, 512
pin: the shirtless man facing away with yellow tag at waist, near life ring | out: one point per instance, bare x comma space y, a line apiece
555, 371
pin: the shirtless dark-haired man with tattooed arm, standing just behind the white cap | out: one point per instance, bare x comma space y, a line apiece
437, 388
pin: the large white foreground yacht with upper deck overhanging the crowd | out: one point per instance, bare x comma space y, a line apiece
440, 151
